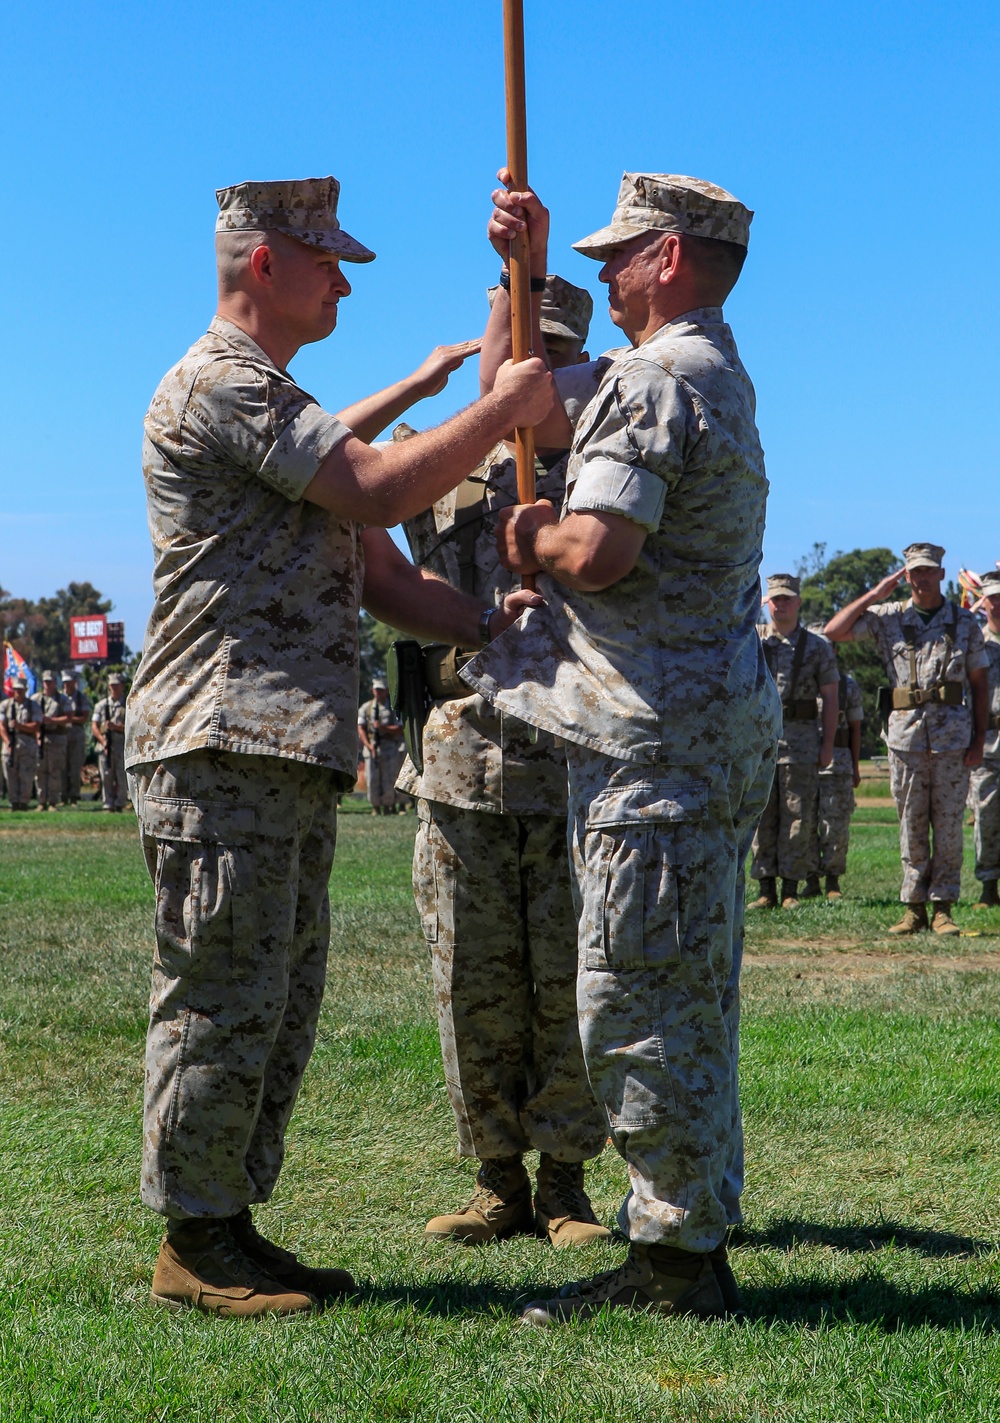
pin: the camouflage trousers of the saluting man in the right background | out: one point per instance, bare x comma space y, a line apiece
930, 789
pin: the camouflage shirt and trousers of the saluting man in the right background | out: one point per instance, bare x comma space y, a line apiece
928, 744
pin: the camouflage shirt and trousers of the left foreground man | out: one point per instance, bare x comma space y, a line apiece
241, 731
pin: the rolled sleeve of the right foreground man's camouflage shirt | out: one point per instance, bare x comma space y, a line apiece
642, 429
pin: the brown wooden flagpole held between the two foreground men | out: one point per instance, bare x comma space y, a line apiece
520, 263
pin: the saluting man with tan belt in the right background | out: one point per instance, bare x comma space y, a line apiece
934, 654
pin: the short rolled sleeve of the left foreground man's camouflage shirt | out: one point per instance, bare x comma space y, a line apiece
262, 426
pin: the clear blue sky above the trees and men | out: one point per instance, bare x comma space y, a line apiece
866, 139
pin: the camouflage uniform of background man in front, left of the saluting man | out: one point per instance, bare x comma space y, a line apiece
786, 842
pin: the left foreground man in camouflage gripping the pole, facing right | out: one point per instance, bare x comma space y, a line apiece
243, 719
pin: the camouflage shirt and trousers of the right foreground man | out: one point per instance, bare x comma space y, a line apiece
661, 691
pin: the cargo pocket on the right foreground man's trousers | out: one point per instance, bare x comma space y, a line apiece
637, 839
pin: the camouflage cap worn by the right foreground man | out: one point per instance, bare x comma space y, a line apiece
671, 203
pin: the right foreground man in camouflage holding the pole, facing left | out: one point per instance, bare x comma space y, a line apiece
648, 662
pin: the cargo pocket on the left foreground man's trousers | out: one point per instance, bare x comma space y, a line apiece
206, 882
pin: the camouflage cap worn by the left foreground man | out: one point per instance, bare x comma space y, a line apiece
302, 208
